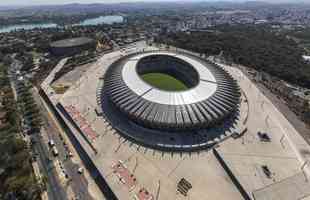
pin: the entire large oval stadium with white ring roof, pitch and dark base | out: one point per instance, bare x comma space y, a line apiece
169, 101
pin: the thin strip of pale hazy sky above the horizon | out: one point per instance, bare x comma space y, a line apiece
44, 2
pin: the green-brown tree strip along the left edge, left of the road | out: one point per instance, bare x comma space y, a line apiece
17, 180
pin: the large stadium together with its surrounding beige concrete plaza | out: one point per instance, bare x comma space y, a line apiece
158, 122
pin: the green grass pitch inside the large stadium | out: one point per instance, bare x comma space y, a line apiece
164, 82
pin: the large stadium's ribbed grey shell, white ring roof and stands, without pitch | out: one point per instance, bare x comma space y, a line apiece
213, 96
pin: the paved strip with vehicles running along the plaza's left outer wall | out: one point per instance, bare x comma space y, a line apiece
78, 182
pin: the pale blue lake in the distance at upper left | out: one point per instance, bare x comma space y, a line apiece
110, 19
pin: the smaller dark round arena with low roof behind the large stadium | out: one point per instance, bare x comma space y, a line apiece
72, 46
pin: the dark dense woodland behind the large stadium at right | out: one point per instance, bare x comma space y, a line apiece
253, 46
